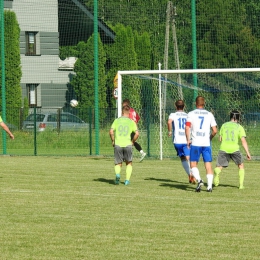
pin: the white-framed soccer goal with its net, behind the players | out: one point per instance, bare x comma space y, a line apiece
153, 94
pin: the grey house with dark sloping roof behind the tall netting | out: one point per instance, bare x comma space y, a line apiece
44, 27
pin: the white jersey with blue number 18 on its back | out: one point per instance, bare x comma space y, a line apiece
178, 127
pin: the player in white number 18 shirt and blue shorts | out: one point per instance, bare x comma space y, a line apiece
176, 130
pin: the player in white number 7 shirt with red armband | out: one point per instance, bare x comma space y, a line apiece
200, 128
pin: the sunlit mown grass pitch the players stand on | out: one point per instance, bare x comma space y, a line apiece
69, 208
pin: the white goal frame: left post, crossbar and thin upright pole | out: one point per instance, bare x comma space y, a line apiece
160, 72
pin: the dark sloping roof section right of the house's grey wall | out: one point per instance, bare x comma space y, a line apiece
76, 23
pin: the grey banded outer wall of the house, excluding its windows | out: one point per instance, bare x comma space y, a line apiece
43, 68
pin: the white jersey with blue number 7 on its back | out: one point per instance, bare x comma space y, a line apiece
201, 122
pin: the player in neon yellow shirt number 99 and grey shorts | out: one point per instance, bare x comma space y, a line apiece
122, 142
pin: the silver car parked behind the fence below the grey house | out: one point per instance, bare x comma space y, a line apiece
53, 121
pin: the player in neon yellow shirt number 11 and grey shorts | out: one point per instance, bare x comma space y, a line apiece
229, 135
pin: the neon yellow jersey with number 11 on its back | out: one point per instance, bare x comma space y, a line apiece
231, 132
